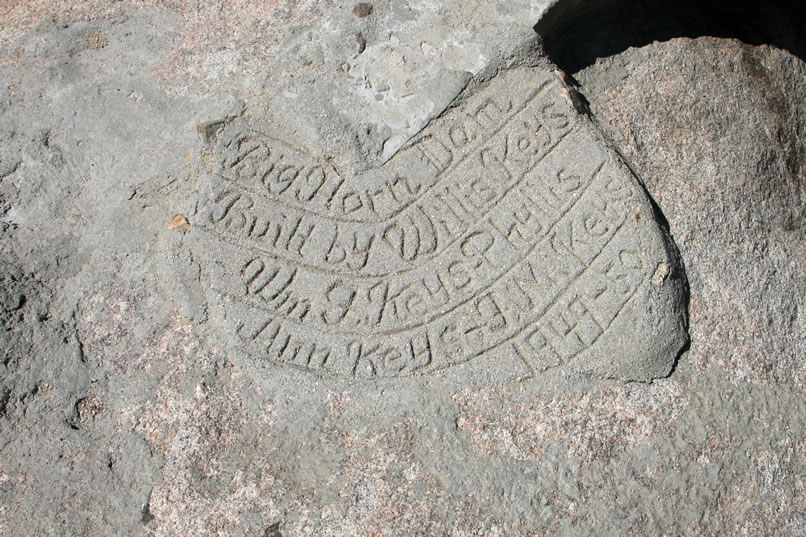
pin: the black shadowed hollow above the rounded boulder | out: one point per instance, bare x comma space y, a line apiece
576, 32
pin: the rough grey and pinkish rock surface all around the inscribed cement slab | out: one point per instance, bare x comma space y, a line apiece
121, 412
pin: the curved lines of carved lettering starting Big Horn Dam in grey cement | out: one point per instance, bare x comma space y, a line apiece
502, 226
